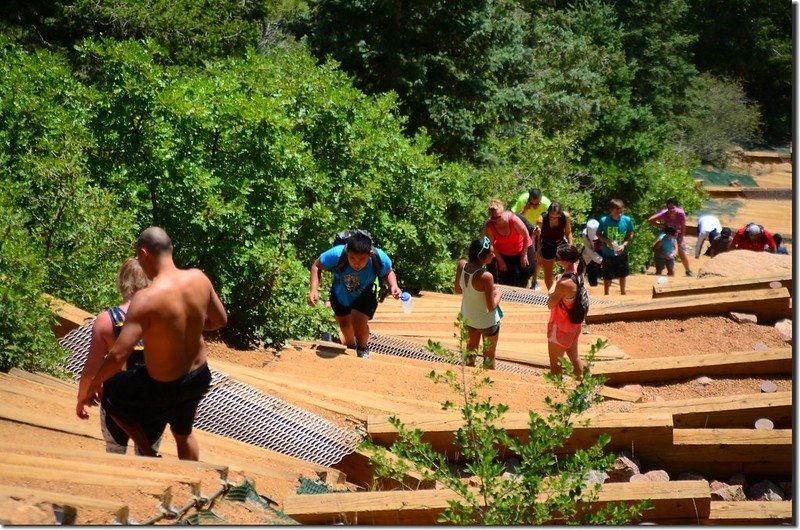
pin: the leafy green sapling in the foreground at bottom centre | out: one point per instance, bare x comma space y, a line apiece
546, 486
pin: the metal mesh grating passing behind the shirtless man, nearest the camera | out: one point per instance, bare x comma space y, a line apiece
239, 411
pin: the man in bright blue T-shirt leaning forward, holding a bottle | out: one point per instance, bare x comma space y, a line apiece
355, 266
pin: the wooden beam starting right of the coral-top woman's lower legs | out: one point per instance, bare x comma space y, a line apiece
772, 361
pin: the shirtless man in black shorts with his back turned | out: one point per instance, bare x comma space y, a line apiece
170, 315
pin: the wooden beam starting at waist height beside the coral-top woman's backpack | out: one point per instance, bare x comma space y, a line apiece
767, 304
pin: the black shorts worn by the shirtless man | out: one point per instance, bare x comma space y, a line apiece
136, 398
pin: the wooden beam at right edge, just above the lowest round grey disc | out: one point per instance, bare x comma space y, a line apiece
726, 411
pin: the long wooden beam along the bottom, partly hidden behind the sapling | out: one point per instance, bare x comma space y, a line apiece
670, 499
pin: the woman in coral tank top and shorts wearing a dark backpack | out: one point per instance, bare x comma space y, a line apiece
568, 302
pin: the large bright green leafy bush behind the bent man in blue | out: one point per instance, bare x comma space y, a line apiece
253, 164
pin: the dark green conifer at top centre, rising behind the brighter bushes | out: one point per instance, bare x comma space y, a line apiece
455, 67
